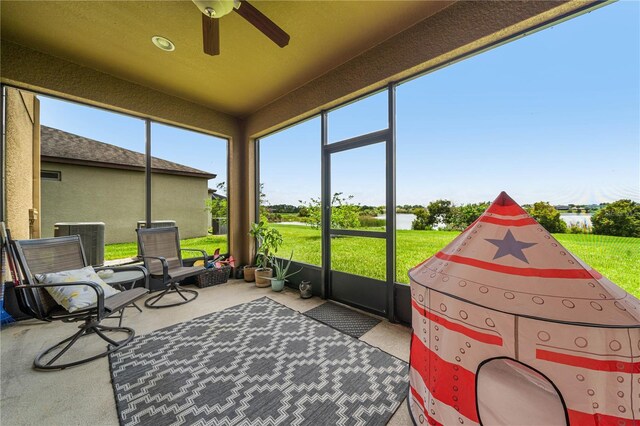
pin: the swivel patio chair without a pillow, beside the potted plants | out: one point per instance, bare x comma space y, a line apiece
162, 256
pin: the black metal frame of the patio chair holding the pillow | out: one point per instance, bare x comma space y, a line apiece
30, 303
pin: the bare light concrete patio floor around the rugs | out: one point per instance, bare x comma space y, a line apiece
83, 395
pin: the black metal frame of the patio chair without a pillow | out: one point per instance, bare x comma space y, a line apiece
172, 284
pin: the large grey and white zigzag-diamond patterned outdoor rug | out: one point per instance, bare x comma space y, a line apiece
259, 363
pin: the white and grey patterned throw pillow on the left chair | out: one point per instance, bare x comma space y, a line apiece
75, 297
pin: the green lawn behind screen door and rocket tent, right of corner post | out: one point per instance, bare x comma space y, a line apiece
617, 258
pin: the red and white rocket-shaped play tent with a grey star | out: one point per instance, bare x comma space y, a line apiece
510, 328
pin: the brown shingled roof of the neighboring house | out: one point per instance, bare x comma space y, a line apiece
58, 146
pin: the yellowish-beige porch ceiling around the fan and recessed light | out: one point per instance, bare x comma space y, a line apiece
251, 71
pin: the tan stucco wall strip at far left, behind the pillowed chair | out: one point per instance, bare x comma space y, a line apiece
19, 161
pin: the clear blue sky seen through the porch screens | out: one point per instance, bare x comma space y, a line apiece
554, 116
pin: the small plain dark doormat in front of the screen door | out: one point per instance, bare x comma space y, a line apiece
343, 319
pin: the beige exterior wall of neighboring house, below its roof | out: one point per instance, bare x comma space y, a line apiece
117, 198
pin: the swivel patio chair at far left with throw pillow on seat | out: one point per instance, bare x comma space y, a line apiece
52, 255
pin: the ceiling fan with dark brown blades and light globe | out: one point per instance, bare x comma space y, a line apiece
212, 10
